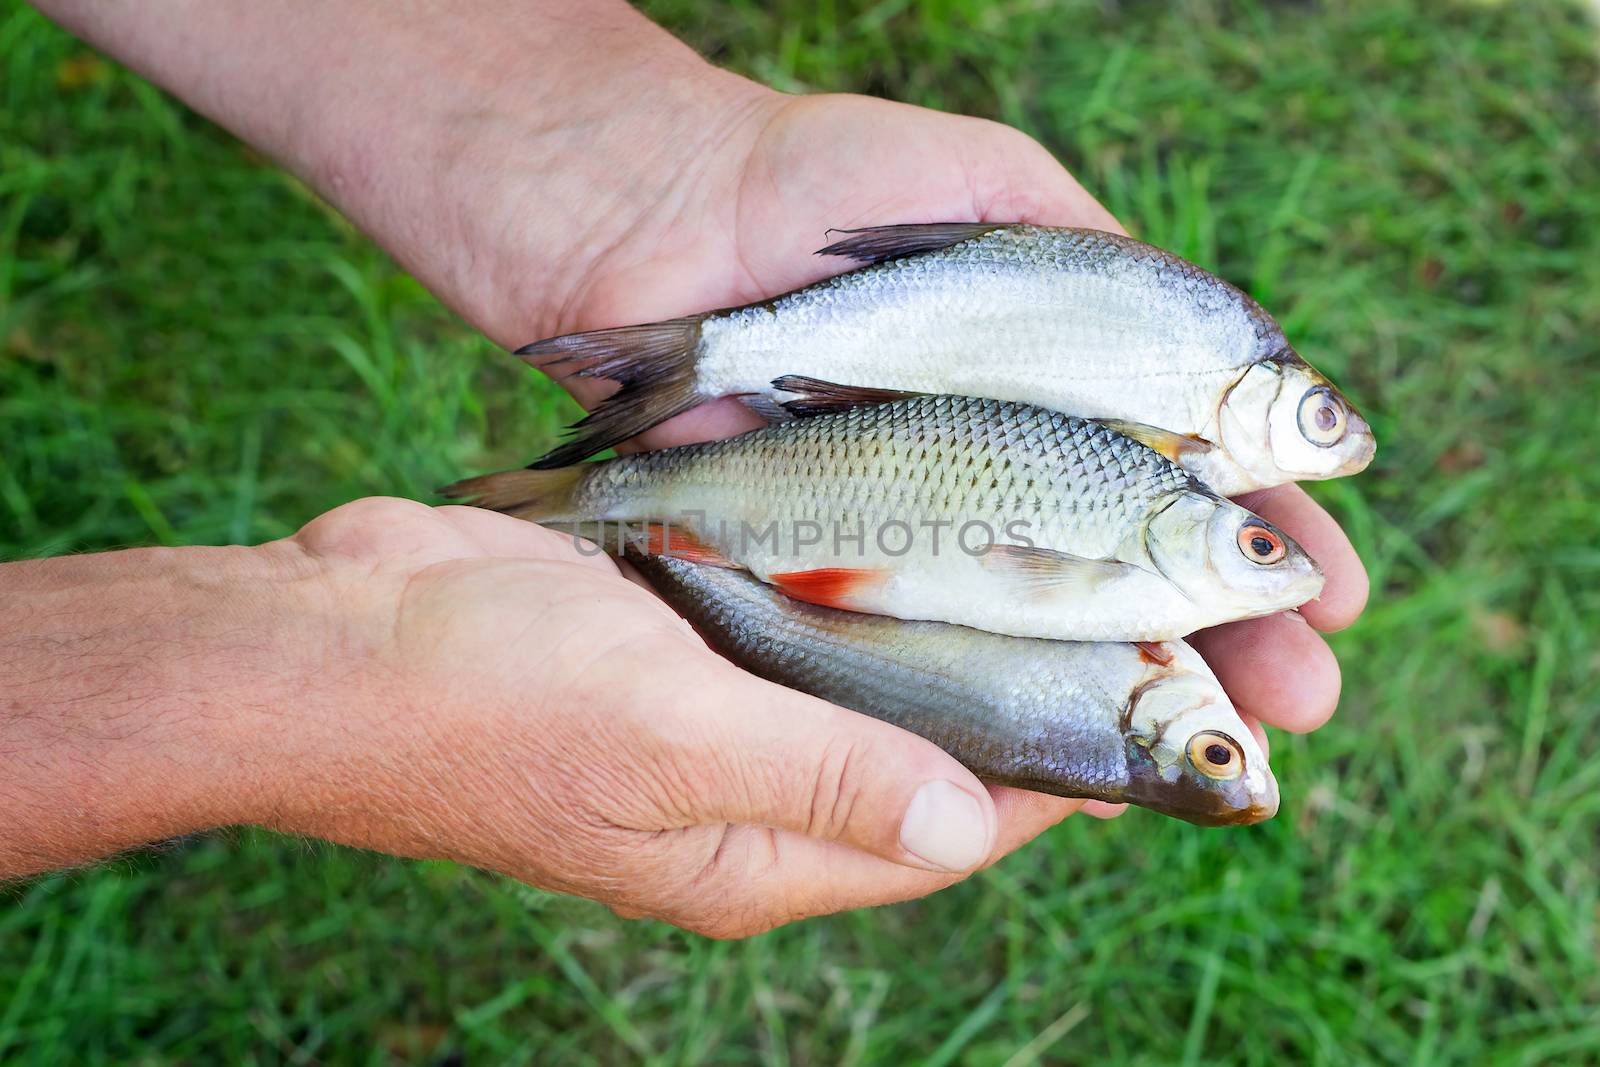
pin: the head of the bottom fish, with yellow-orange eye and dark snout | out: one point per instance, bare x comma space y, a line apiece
1190, 753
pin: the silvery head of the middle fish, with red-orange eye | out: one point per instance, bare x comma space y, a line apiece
1222, 554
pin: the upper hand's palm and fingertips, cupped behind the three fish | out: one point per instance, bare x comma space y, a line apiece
745, 230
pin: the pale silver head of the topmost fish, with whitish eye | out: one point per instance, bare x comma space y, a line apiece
1282, 422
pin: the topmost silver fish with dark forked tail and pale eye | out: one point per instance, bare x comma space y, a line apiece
1086, 322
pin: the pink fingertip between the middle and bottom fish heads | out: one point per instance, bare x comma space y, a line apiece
1278, 669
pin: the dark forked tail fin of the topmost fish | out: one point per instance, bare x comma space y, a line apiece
655, 364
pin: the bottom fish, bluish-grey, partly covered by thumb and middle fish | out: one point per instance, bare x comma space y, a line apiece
1146, 725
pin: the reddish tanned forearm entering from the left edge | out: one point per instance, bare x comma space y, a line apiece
138, 697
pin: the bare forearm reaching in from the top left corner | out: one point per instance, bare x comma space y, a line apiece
402, 113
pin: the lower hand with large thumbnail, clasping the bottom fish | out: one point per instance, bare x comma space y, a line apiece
519, 705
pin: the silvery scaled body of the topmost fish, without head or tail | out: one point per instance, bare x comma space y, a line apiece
1111, 289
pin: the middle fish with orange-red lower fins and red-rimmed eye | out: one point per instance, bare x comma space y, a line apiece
956, 510
